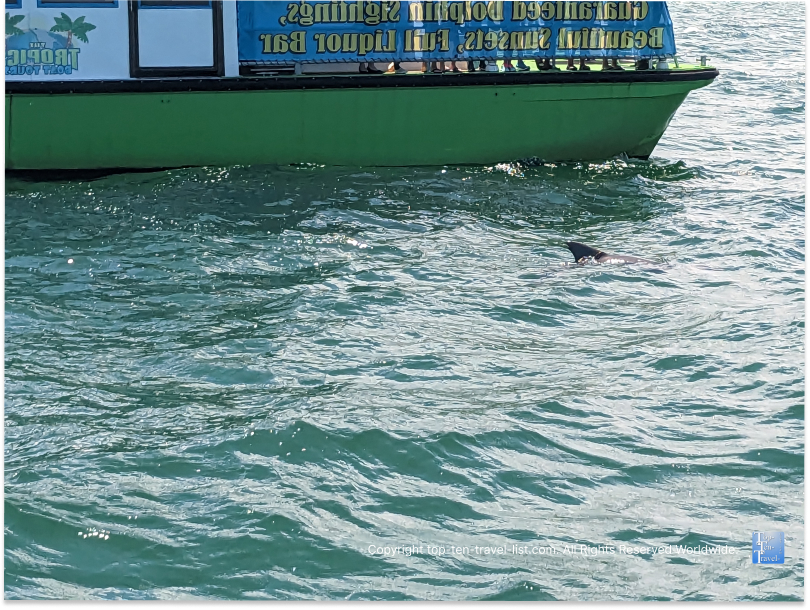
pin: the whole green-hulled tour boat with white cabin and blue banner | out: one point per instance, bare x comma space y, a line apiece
115, 84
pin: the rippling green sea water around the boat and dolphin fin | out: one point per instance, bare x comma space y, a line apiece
244, 382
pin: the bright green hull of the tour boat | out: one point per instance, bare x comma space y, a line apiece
371, 126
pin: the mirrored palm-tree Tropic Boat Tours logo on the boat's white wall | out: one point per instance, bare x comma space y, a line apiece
44, 52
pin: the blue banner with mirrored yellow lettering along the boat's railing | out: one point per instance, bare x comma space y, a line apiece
352, 31
